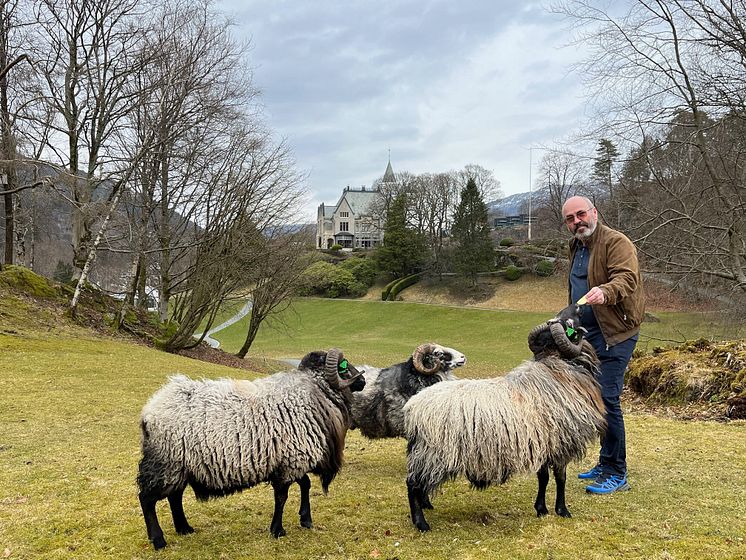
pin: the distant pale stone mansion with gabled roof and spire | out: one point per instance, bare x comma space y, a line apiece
354, 222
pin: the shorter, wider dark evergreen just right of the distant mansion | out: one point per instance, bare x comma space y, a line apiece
404, 250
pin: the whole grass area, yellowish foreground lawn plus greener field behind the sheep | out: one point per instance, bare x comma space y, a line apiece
69, 447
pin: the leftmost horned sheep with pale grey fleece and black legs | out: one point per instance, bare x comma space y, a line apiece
222, 436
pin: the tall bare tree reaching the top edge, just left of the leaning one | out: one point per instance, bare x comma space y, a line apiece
190, 95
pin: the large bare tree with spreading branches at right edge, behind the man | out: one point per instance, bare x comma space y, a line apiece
674, 71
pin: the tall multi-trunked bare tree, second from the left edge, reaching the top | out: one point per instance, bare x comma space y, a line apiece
86, 51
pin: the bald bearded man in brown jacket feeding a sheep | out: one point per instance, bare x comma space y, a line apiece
604, 270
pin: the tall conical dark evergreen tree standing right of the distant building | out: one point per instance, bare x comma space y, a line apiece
471, 231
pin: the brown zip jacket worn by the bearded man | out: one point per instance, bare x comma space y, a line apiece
613, 267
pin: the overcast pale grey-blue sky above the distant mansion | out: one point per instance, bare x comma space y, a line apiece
440, 83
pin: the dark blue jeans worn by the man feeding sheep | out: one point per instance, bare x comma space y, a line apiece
614, 360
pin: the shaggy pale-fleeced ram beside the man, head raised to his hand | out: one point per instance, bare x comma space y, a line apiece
543, 413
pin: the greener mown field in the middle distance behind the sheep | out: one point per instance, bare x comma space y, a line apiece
384, 333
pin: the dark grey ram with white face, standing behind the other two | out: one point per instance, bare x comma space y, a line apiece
377, 409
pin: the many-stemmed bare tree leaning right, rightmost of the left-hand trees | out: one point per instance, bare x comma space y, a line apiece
253, 193
